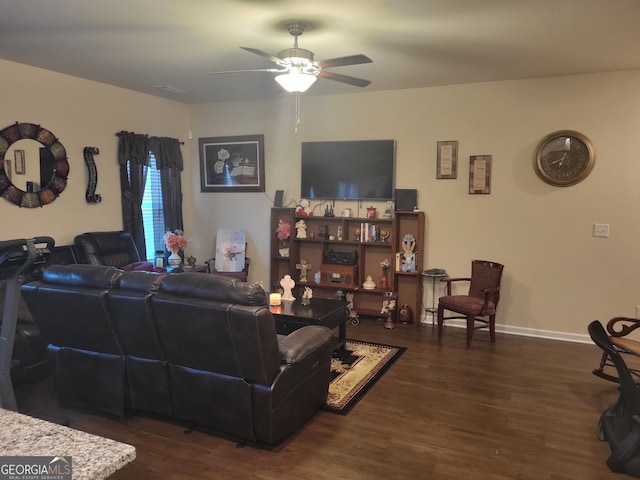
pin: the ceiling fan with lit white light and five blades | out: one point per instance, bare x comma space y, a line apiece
297, 68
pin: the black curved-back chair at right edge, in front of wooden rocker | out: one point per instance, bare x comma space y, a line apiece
619, 425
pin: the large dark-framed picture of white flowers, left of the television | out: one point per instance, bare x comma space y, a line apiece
232, 164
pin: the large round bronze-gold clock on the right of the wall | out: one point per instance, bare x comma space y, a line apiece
564, 158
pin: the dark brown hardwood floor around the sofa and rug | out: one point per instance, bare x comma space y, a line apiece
525, 408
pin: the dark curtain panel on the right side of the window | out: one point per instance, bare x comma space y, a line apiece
169, 162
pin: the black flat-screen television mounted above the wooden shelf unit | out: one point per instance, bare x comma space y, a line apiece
348, 170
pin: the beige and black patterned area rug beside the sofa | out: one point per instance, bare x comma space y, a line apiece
356, 369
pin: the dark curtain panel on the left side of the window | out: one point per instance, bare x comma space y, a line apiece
133, 157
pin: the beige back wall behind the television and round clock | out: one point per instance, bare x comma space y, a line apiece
558, 277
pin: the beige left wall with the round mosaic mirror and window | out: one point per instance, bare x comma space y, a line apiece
80, 113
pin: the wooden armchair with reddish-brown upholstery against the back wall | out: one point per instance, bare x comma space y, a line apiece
479, 306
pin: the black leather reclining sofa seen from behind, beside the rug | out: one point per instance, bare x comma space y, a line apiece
196, 347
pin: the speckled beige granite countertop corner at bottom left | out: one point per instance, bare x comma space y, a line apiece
93, 457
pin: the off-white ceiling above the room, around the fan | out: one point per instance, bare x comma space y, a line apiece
142, 44
